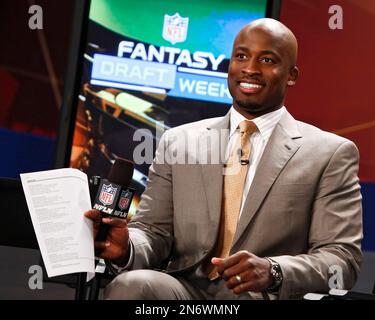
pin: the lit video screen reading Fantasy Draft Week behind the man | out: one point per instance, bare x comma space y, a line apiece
152, 65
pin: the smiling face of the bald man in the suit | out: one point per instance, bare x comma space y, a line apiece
260, 70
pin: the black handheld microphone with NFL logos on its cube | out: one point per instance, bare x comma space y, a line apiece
113, 197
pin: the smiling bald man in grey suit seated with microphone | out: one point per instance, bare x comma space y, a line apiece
284, 221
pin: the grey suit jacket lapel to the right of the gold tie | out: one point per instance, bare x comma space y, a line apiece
280, 148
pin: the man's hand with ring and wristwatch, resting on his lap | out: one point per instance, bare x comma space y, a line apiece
244, 271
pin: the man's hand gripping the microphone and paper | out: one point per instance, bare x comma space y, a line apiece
115, 247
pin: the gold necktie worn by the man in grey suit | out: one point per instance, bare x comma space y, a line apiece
233, 184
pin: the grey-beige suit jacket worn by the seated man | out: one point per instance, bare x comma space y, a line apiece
303, 208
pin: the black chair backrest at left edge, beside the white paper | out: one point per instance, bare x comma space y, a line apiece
17, 229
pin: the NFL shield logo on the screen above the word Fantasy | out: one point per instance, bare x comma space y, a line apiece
175, 28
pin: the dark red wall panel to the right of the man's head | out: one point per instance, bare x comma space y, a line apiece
335, 90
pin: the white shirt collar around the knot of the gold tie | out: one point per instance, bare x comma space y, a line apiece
265, 123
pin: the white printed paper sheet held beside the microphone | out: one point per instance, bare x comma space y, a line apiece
57, 200
